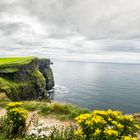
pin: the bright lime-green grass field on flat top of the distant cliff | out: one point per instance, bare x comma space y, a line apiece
15, 60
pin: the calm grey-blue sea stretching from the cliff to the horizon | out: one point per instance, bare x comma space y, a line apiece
98, 85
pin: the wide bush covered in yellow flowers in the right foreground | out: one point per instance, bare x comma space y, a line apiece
106, 125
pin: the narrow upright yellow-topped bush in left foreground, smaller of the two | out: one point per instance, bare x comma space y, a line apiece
14, 123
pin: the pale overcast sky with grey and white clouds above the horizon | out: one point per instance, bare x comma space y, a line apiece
95, 30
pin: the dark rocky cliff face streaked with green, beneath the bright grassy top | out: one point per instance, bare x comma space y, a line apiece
27, 80
